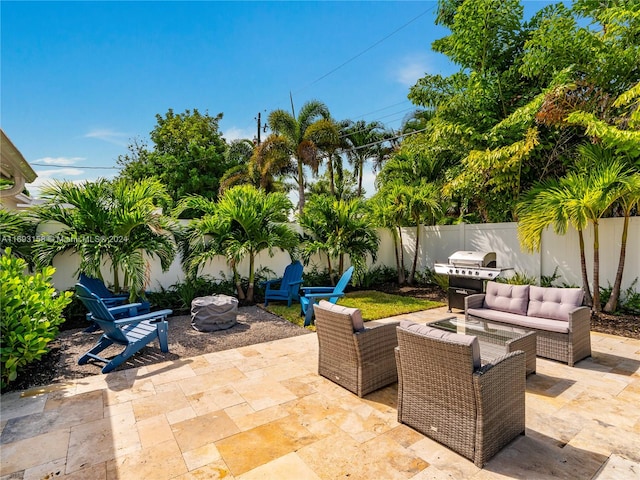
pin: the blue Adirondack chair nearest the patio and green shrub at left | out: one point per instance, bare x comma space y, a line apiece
133, 331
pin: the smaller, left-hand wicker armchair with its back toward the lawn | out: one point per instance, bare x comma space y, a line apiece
360, 361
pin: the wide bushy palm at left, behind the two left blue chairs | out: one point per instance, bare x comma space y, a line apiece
103, 220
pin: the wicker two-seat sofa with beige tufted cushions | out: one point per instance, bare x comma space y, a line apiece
561, 323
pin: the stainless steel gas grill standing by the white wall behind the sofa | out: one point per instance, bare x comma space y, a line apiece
467, 271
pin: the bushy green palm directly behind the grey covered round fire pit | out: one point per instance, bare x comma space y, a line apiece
244, 222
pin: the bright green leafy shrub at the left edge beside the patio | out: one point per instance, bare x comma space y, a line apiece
30, 313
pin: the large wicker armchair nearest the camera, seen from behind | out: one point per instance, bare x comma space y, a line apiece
473, 411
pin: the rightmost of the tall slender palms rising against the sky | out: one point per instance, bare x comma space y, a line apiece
364, 143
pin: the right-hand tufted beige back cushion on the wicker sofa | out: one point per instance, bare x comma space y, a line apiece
555, 303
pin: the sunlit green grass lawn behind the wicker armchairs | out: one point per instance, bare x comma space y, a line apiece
374, 305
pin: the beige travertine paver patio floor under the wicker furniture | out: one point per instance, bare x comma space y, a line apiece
263, 412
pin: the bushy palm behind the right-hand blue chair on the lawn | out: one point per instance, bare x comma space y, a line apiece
338, 228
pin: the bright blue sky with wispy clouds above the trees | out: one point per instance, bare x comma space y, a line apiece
80, 80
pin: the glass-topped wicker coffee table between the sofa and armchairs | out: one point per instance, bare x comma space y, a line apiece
495, 340
